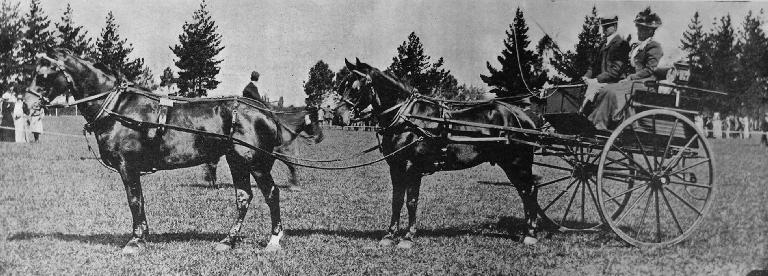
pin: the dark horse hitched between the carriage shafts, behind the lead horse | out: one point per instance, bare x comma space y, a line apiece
393, 102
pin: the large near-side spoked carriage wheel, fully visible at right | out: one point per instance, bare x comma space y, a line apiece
670, 174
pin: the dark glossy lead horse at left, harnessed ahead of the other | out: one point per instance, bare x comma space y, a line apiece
113, 114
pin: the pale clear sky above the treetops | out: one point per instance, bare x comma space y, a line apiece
282, 39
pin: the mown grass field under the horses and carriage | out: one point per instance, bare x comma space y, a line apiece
60, 214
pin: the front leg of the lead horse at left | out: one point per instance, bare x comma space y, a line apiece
132, 182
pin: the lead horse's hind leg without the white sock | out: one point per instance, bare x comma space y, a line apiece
243, 196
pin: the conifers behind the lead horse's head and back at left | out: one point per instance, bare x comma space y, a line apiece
23, 36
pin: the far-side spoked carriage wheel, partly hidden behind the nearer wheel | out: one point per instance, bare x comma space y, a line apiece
566, 192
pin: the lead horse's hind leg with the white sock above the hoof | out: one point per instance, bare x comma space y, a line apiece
272, 197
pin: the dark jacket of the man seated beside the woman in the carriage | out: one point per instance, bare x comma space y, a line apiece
614, 57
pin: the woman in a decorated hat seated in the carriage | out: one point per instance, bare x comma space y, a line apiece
611, 99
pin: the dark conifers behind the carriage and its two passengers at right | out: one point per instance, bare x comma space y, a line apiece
721, 59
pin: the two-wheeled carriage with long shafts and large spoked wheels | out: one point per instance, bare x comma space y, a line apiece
650, 180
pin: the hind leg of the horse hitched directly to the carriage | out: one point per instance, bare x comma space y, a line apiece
523, 179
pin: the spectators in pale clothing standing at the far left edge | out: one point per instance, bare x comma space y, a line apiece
18, 122
